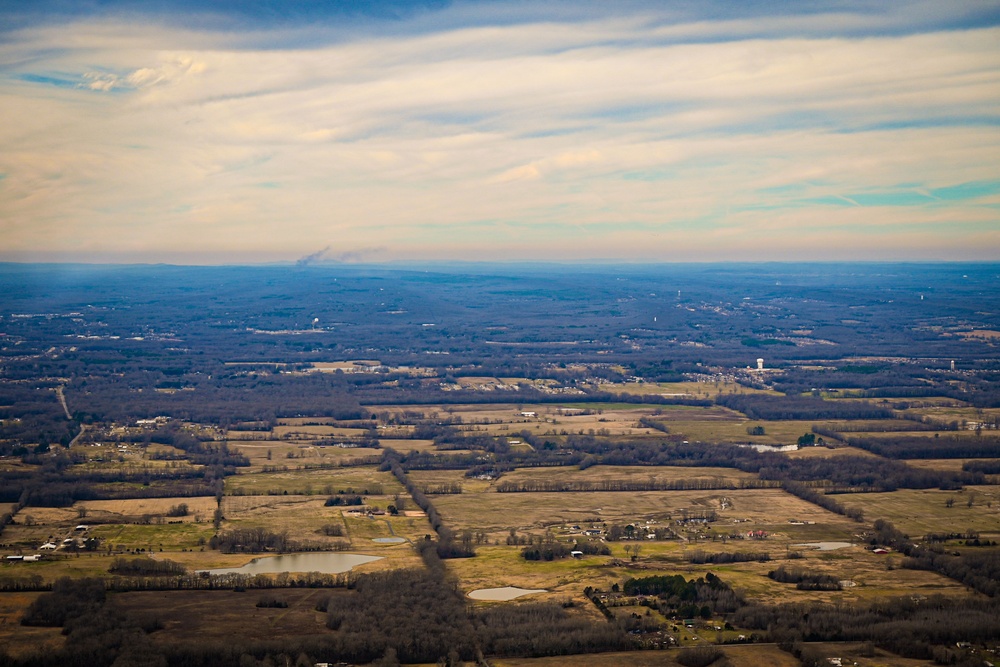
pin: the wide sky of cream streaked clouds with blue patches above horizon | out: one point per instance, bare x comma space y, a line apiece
241, 132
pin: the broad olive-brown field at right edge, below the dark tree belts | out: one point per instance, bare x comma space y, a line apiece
918, 512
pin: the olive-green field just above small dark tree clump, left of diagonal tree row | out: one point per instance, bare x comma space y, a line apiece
363, 480
